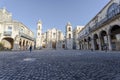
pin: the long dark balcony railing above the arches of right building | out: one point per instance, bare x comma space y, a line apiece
114, 14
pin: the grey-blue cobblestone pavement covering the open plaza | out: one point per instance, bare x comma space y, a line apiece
59, 65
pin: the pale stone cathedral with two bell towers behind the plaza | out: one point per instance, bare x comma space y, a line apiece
53, 38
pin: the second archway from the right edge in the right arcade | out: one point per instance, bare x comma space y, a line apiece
103, 39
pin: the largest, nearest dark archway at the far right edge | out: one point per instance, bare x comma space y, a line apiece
115, 37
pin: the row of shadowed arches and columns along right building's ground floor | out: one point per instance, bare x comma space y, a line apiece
104, 39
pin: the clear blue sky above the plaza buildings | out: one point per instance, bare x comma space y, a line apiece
53, 13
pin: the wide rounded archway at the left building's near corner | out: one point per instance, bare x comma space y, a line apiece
8, 43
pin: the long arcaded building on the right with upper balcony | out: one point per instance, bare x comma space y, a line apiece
103, 31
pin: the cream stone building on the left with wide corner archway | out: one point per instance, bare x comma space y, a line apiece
14, 34
